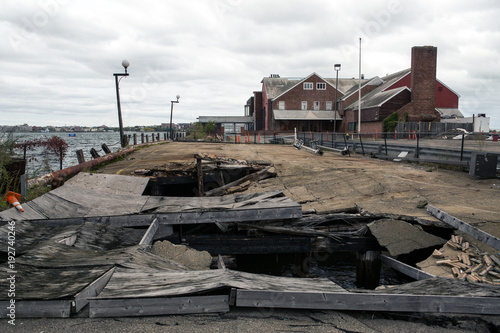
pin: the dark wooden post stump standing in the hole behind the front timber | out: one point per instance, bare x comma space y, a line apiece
368, 266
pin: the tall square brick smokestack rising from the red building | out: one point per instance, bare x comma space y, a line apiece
423, 79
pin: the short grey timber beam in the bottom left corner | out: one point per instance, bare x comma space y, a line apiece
37, 309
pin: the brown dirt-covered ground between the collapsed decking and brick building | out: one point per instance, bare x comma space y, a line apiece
332, 181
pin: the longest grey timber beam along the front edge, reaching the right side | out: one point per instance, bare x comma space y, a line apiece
368, 302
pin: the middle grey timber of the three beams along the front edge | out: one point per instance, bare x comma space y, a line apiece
100, 308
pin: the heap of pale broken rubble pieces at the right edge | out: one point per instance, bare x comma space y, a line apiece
468, 264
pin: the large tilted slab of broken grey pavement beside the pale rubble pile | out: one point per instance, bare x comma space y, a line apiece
401, 237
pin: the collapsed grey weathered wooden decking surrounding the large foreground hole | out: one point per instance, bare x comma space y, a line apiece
71, 260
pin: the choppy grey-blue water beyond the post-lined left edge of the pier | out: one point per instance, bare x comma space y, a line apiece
40, 162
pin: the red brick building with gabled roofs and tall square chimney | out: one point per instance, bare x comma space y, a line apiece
316, 104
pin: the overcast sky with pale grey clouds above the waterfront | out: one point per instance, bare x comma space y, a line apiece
58, 56
